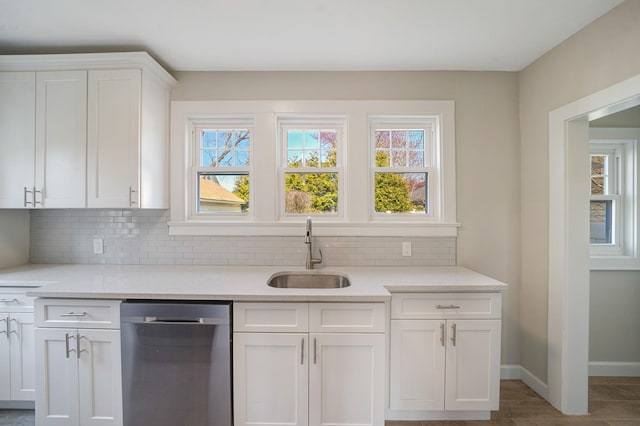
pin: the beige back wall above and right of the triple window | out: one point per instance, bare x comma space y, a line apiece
487, 150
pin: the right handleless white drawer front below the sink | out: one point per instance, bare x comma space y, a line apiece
346, 317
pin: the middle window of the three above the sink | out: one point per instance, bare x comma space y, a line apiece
311, 176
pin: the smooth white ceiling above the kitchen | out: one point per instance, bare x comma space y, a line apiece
264, 35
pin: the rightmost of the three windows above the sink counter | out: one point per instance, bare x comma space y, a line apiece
403, 166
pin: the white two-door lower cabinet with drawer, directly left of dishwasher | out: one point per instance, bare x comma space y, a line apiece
78, 370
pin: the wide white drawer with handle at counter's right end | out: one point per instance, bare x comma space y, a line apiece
445, 305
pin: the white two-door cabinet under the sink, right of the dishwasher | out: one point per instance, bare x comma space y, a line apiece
306, 377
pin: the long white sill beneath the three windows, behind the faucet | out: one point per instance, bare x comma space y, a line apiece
207, 228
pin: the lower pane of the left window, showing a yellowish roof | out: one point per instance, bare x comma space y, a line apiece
220, 192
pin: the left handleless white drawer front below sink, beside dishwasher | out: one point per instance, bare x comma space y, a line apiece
271, 317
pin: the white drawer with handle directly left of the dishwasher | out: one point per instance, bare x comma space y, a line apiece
77, 313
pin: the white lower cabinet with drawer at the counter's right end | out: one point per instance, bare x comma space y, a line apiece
446, 364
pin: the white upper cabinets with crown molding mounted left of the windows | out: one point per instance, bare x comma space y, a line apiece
84, 130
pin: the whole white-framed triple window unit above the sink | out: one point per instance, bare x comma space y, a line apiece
362, 168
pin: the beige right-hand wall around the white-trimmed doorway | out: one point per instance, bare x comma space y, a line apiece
602, 54
